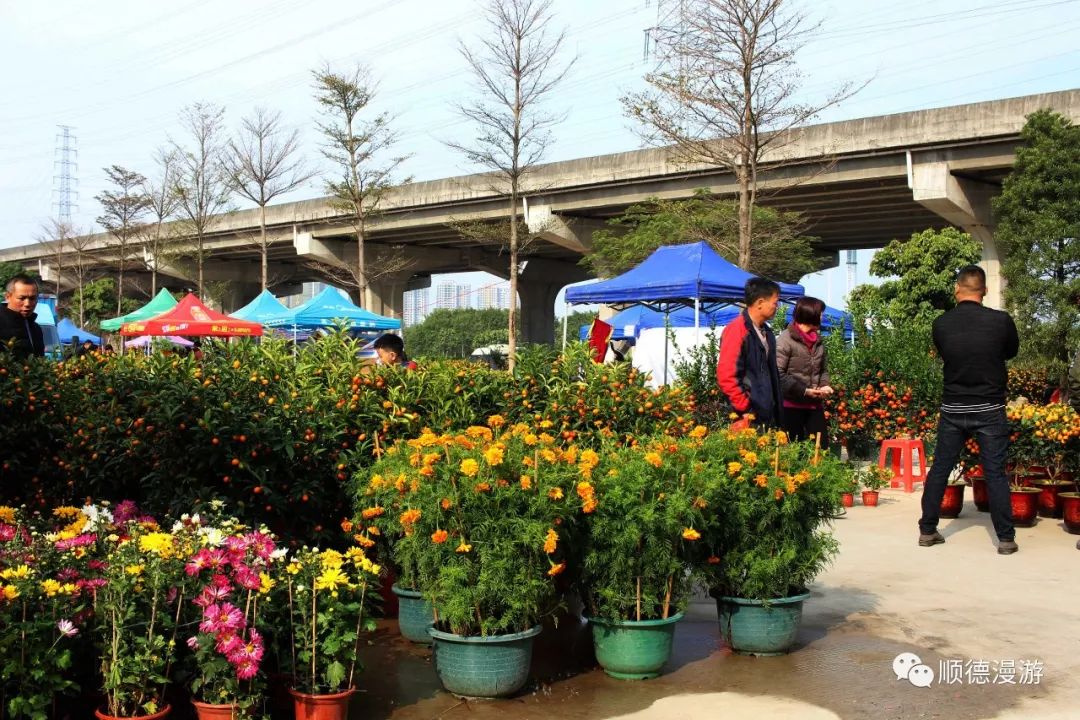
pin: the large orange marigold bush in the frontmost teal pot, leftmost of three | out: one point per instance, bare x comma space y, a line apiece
479, 522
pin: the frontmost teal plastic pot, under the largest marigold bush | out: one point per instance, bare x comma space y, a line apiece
493, 667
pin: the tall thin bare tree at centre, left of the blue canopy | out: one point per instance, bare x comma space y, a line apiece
515, 69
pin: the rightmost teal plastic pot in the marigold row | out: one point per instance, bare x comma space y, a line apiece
750, 628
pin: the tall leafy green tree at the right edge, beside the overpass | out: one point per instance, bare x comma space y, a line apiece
1038, 216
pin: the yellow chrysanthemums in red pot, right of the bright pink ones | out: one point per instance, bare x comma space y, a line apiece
329, 595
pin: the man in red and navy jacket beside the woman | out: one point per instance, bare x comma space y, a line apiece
747, 372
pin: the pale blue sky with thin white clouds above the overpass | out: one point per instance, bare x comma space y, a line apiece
120, 72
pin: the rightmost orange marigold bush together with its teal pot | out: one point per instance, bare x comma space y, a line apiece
771, 538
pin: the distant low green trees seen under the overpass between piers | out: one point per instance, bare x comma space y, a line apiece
456, 333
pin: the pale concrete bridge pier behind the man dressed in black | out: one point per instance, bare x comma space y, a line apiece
966, 203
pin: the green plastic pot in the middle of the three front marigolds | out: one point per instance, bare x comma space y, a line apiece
633, 649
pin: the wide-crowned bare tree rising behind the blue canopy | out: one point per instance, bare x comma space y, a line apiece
725, 91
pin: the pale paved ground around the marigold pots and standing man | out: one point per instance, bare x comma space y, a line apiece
958, 604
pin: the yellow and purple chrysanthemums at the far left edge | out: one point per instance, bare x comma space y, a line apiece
44, 600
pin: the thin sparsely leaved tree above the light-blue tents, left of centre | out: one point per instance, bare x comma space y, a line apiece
359, 151
